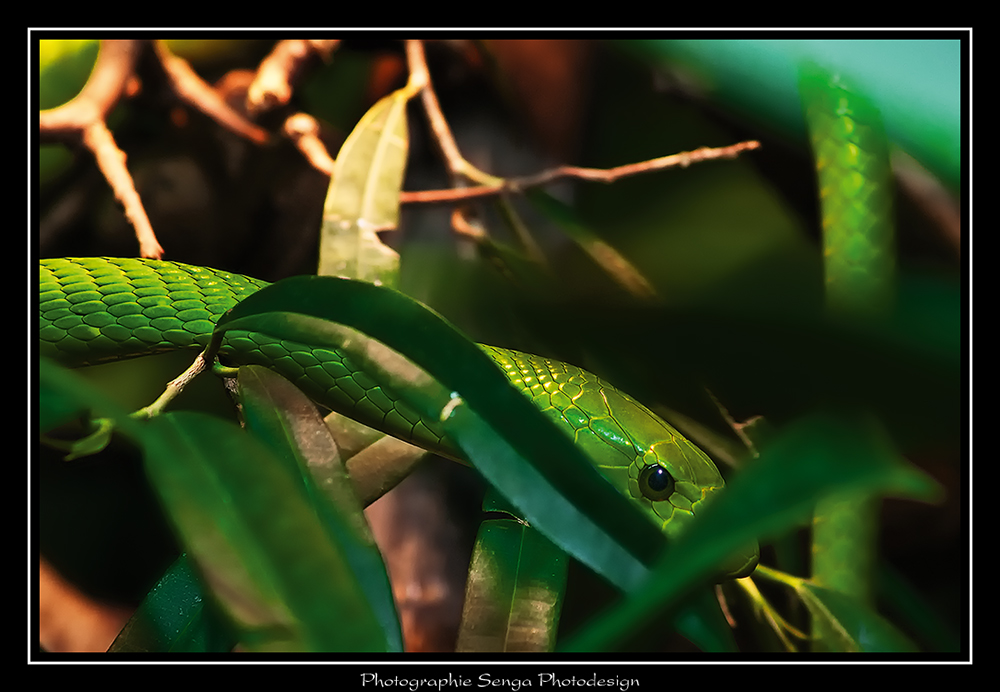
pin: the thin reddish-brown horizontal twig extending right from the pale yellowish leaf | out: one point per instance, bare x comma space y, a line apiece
608, 175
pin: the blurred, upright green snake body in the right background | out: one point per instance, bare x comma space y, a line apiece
856, 201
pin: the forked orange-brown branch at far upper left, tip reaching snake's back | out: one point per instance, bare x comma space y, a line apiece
82, 120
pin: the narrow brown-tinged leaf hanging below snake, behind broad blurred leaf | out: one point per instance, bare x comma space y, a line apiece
282, 417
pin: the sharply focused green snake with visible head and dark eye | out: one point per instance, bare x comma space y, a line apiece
95, 310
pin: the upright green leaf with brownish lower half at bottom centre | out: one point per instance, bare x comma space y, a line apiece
513, 598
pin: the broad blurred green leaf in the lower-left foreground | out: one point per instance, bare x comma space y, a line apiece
258, 544
